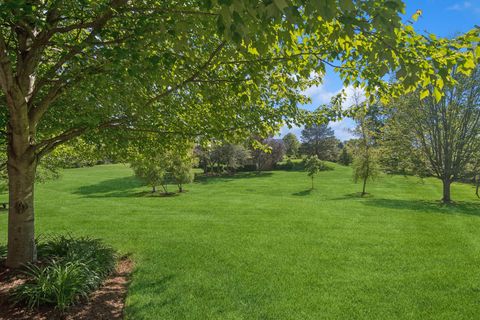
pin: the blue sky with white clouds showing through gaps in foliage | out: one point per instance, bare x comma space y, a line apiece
445, 18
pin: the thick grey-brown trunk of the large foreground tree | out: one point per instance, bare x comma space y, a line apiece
21, 179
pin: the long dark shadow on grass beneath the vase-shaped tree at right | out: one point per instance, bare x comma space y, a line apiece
429, 206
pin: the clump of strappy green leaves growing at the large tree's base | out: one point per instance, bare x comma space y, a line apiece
70, 269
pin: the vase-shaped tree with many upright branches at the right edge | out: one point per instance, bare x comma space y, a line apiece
444, 132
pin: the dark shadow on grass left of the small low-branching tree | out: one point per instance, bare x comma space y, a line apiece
118, 187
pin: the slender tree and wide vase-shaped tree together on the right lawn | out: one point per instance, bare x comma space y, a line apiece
418, 135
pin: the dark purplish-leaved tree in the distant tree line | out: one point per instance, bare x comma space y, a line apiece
267, 159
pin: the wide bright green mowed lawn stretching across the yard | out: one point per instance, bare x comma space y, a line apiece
264, 247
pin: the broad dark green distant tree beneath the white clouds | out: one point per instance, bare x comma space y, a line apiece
320, 140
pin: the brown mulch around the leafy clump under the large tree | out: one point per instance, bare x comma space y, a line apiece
104, 304
